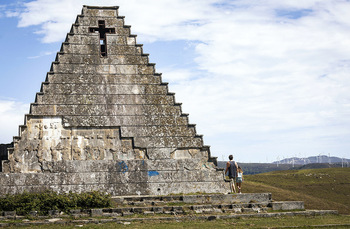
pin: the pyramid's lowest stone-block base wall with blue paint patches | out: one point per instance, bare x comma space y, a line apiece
119, 177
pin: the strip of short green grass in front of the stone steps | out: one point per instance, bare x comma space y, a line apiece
287, 221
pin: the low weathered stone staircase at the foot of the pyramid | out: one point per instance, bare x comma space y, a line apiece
175, 207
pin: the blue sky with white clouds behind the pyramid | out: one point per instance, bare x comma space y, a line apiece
262, 80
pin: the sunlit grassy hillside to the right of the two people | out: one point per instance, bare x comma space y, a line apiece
327, 189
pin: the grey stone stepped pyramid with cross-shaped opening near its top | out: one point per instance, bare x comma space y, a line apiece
104, 120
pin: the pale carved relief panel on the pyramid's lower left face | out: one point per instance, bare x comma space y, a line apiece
46, 139
